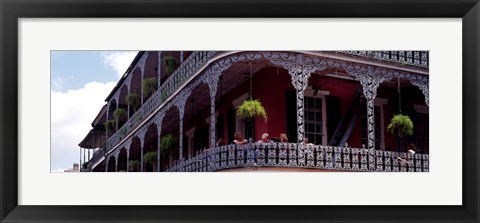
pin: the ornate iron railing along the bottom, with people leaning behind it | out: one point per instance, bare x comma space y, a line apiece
293, 155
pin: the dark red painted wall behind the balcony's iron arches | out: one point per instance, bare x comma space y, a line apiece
271, 84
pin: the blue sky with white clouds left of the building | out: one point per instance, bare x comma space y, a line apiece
80, 82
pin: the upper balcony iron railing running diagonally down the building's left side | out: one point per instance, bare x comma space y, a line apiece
190, 66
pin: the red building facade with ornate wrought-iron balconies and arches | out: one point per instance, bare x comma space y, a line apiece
340, 101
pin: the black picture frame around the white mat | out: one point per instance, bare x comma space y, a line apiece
11, 11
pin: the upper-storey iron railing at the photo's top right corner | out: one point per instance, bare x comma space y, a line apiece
412, 58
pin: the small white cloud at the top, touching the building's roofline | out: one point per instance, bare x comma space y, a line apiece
119, 60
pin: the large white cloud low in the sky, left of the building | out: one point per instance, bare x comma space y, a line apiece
72, 114
